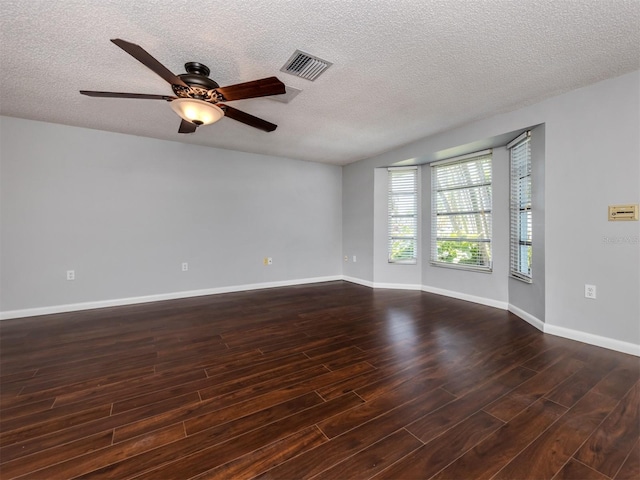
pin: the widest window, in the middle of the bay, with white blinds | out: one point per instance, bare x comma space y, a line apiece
461, 221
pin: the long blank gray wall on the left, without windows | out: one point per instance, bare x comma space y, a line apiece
124, 212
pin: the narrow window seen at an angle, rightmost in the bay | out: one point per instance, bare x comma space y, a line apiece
521, 215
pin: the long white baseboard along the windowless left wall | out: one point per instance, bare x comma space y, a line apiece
74, 307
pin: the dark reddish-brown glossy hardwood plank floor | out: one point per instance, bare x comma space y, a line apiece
326, 381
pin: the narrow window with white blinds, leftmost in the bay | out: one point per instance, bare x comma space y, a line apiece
403, 215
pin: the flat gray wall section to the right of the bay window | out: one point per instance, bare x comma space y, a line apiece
592, 161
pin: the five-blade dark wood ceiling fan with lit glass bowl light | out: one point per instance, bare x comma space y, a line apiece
198, 99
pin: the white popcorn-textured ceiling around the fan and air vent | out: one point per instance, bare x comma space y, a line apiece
402, 69
